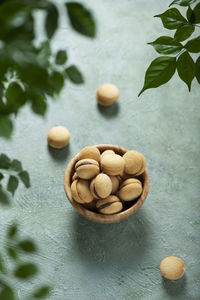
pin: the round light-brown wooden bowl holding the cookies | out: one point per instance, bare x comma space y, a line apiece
132, 206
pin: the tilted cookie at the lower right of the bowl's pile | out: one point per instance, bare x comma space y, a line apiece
130, 189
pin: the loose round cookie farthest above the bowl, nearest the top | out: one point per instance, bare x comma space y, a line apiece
107, 94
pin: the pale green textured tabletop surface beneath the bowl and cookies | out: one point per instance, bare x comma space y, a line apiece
84, 260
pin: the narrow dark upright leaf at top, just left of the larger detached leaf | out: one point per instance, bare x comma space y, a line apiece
51, 21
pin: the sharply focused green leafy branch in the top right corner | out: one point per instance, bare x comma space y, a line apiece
161, 70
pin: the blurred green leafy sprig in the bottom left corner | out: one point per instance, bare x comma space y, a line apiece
16, 249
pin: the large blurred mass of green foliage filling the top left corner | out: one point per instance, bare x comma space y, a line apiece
29, 74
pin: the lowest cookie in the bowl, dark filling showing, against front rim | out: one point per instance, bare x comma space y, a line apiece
110, 205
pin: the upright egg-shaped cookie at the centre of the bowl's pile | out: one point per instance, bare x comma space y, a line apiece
101, 186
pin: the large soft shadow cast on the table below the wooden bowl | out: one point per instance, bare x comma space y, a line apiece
121, 243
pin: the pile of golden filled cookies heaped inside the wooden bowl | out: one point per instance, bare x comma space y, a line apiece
105, 182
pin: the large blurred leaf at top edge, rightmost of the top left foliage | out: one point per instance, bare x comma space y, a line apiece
81, 19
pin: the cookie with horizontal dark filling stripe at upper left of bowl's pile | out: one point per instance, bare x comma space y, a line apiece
87, 168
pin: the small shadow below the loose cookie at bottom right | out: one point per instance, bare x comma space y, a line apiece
175, 288
